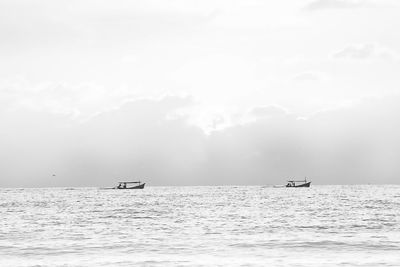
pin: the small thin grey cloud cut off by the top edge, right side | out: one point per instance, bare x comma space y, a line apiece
335, 4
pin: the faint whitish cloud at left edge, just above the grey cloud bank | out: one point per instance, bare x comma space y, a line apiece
80, 100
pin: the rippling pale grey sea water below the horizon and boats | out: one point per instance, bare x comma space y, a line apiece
201, 226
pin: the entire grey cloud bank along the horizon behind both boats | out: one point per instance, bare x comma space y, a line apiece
357, 144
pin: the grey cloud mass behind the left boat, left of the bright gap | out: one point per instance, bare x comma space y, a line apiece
138, 139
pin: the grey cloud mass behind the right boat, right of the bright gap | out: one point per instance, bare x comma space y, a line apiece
350, 145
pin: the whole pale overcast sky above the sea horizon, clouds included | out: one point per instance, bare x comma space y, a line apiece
187, 92
